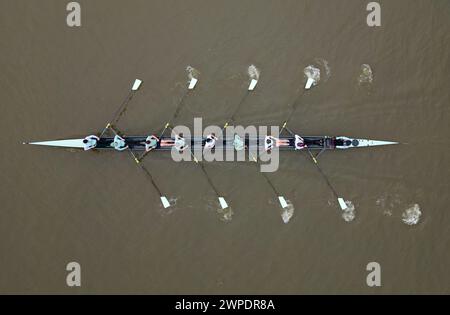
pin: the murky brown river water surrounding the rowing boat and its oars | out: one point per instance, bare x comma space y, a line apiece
100, 210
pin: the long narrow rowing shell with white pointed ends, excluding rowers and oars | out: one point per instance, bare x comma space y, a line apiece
137, 143
